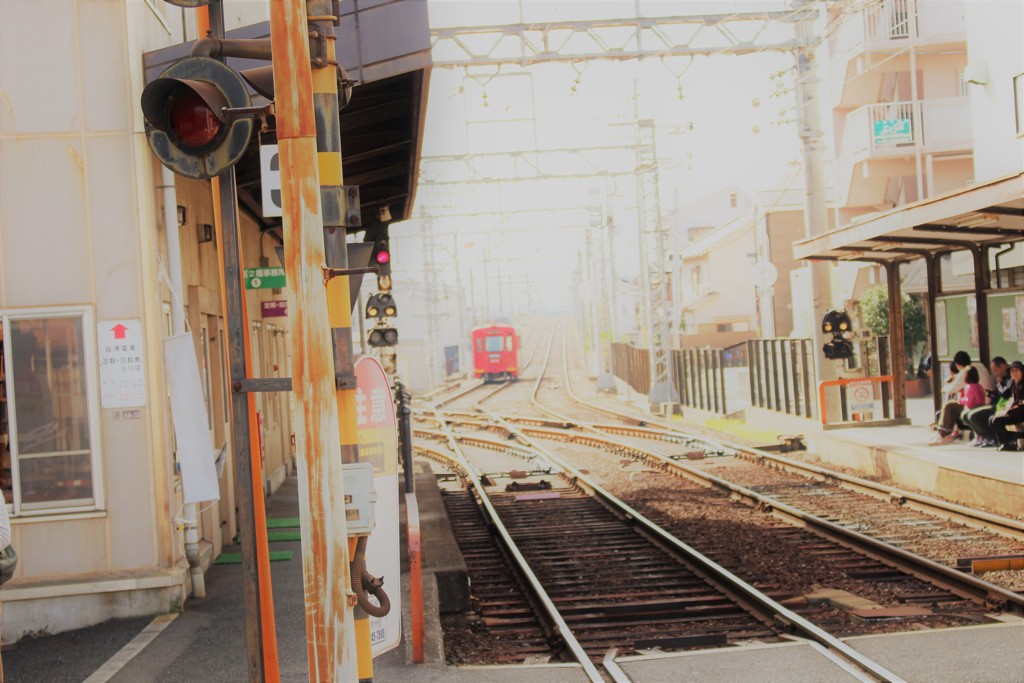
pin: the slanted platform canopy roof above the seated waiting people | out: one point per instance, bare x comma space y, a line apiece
992, 214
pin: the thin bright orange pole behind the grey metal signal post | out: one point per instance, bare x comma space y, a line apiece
272, 671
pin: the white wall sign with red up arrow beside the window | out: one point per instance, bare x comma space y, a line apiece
122, 380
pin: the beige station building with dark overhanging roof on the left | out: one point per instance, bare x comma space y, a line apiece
104, 253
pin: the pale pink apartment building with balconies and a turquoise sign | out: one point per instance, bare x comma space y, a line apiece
899, 95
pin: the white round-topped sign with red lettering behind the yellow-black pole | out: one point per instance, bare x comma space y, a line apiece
378, 443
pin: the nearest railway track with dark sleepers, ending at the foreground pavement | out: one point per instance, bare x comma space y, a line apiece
614, 583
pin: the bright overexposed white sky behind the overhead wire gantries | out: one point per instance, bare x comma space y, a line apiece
720, 121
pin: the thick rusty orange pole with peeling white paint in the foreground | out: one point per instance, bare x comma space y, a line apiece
329, 602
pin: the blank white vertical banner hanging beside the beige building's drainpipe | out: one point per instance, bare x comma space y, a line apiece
192, 431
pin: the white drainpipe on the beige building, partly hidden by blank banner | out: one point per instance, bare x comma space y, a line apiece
188, 520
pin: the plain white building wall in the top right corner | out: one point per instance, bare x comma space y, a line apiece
995, 44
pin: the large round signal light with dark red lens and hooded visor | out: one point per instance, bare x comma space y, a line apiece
191, 126
